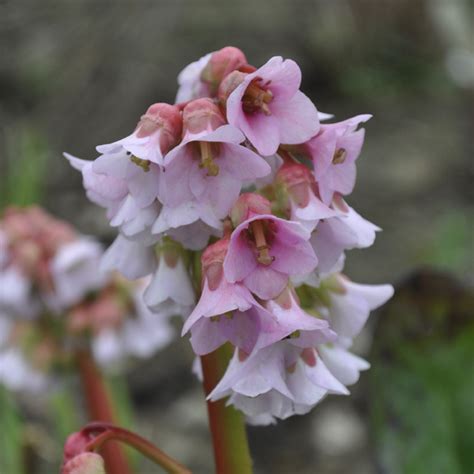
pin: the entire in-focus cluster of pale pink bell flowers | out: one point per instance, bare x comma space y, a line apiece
241, 175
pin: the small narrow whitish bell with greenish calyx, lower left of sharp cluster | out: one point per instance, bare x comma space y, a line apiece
170, 290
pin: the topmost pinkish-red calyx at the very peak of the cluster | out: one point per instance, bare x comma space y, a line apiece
222, 63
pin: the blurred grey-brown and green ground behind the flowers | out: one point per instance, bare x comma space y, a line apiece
75, 74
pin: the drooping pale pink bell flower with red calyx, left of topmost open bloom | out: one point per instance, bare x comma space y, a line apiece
209, 165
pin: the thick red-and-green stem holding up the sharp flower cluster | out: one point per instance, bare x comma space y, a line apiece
229, 438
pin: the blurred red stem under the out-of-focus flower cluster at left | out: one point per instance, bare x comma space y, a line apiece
100, 409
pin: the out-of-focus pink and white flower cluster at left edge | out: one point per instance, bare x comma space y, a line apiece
54, 301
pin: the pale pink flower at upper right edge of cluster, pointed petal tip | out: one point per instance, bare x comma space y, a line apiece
334, 151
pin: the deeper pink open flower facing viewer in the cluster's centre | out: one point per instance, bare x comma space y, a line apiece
264, 250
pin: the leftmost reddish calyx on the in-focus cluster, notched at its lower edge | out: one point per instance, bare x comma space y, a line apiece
165, 117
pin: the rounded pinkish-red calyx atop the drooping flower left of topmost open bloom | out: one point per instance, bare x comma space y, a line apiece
201, 116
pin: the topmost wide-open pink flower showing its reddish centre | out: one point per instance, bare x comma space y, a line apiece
270, 109
